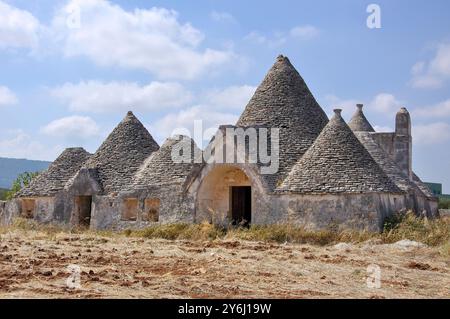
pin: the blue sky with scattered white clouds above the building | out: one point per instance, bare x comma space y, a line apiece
66, 81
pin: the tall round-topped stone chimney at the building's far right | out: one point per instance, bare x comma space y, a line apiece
403, 142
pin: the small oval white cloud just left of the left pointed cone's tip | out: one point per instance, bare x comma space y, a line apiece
73, 127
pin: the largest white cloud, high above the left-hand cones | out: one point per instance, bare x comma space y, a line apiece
150, 39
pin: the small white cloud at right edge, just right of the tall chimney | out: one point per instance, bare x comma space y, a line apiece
434, 133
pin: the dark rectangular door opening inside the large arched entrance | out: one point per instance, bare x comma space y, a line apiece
241, 205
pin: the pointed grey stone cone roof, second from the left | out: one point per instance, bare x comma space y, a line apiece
121, 154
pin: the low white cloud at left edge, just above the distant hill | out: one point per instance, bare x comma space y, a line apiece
19, 144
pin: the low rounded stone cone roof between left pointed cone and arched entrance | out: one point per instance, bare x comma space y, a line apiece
173, 163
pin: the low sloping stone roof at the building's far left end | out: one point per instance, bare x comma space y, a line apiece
52, 180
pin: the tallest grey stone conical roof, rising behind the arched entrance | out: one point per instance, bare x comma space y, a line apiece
284, 101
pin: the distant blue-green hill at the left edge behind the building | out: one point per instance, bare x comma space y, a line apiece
10, 168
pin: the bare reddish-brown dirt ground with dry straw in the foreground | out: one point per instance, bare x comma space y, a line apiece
34, 265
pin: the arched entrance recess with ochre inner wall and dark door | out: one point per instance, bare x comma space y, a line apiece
225, 197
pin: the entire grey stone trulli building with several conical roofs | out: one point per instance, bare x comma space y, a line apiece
328, 174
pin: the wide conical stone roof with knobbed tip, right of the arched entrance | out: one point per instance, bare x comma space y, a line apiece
337, 163
